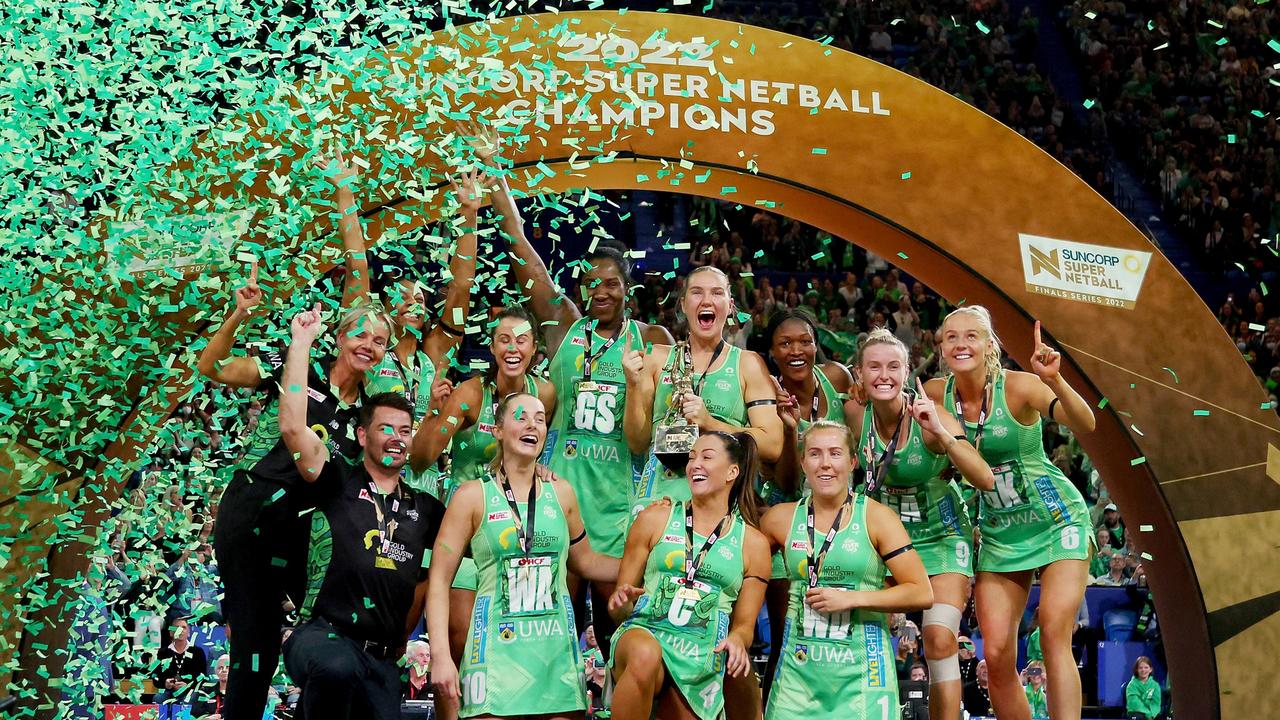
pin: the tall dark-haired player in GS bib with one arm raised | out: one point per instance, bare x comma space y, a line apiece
586, 341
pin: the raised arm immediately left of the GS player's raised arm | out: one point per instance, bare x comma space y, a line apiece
447, 334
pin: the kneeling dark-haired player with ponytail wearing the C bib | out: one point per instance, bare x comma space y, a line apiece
692, 585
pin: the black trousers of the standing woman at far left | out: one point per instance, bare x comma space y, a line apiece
262, 546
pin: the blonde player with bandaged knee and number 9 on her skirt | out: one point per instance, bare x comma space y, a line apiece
906, 445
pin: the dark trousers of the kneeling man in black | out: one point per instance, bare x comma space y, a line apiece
340, 680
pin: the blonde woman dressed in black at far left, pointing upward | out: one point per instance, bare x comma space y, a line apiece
260, 537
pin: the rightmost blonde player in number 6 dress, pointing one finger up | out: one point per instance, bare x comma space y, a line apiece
1034, 520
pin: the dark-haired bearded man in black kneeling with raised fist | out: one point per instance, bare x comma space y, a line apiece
345, 658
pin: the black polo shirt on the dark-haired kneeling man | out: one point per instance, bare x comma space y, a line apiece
376, 567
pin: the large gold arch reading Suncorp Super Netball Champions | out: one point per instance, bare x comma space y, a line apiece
895, 166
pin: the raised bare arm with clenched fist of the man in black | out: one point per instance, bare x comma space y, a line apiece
309, 452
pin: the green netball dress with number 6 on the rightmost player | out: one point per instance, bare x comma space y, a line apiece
1035, 516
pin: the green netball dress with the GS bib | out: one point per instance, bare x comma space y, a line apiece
586, 444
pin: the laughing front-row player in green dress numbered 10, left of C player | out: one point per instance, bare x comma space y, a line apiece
524, 530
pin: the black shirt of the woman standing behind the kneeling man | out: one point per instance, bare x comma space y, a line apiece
266, 455
